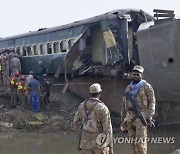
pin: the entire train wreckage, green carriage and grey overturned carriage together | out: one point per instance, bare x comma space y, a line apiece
104, 49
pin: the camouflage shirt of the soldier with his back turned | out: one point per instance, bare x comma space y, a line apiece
97, 122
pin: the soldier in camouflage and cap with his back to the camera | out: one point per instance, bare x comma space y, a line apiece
93, 121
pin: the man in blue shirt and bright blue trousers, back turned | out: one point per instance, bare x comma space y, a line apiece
34, 86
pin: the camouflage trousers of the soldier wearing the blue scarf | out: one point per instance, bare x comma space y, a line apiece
138, 133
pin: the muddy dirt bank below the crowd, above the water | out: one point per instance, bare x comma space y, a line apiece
57, 119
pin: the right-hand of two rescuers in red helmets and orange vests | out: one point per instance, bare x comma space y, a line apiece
22, 91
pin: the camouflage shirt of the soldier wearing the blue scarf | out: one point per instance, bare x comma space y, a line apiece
146, 101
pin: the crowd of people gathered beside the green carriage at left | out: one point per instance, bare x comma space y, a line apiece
25, 89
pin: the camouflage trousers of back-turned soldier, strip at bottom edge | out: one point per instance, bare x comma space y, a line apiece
95, 151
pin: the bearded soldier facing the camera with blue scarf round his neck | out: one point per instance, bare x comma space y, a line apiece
143, 92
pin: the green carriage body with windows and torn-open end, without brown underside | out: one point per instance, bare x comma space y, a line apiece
103, 40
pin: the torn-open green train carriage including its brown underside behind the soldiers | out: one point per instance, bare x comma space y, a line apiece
99, 49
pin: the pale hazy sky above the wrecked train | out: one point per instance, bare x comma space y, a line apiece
21, 16
